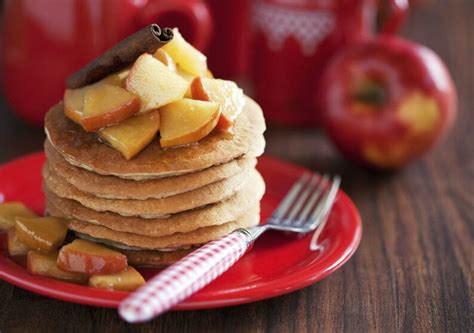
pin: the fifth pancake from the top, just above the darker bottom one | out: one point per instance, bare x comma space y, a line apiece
199, 236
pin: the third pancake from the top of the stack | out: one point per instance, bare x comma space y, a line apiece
151, 208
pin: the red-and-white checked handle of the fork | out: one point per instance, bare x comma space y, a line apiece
185, 277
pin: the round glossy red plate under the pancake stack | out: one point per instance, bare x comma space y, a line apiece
278, 263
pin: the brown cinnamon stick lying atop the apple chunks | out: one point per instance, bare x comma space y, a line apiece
149, 39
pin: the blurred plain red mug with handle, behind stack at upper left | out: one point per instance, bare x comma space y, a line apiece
46, 40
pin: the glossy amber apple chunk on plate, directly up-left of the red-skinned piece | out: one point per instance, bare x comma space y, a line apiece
41, 233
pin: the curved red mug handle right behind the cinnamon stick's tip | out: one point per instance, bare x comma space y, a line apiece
195, 11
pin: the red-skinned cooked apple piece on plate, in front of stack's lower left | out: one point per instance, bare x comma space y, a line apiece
85, 257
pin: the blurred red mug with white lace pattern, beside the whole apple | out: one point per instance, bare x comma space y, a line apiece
293, 41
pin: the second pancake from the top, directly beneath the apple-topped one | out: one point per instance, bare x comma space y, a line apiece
111, 187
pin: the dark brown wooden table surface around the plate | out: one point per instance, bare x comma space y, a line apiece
413, 270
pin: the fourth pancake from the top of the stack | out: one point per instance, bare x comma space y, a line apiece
219, 213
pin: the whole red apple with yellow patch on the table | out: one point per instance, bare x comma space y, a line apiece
386, 101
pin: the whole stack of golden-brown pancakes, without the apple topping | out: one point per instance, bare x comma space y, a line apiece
160, 205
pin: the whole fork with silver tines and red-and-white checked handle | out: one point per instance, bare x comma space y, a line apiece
304, 208
